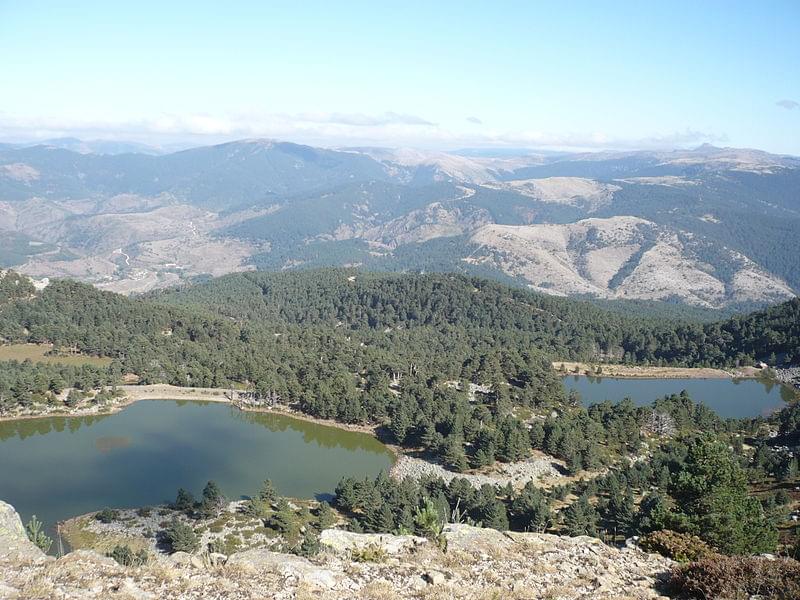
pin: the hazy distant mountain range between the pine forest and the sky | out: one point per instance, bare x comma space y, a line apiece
709, 227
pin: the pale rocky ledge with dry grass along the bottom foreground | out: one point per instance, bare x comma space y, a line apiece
478, 563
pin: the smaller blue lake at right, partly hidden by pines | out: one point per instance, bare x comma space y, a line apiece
735, 398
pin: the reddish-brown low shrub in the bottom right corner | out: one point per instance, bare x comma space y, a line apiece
737, 577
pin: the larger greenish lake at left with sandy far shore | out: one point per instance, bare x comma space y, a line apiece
60, 467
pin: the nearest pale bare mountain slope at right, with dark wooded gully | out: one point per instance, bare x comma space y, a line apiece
621, 257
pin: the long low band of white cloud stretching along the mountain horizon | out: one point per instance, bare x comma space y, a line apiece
329, 129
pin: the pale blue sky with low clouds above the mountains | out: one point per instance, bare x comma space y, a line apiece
439, 75
